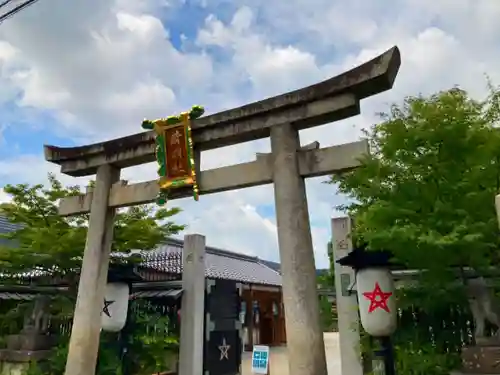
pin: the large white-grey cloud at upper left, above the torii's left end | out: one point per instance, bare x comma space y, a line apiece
84, 68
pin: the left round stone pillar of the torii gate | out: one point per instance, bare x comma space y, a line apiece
84, 341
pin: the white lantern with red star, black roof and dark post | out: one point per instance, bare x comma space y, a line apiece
376, 299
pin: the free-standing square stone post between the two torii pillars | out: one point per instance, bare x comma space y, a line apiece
193, 306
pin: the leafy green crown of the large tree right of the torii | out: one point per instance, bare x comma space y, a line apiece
426, 192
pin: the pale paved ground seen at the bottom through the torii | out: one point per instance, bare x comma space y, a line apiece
279, 357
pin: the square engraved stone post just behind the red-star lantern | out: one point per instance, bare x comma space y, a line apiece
347, 303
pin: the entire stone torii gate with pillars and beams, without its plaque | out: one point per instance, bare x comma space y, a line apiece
280, 118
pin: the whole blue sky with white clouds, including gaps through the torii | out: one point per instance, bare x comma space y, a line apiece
90, 70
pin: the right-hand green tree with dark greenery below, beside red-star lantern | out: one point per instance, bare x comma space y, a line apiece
426, 192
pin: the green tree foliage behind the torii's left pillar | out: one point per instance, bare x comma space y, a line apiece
52, 244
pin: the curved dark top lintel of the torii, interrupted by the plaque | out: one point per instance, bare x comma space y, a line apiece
331, 100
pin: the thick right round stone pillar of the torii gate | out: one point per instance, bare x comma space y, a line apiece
306, 349
